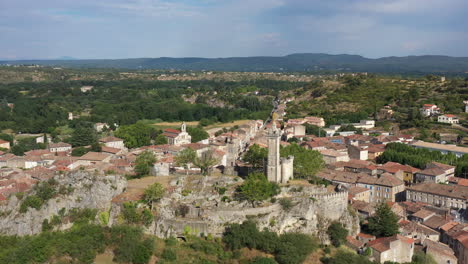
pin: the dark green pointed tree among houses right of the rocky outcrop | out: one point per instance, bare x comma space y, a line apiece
384, 222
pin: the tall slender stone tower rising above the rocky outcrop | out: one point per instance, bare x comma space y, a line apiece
273, 167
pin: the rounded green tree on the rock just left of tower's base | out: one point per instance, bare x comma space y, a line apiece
257, 188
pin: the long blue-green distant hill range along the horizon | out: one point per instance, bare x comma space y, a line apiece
289, 63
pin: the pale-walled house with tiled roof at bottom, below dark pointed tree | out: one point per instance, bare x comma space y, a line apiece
396, 248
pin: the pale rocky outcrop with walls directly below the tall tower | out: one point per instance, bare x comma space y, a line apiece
197, 206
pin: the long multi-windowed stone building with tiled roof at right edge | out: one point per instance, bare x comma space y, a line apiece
445, 196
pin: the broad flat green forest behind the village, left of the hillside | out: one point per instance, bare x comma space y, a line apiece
43, 106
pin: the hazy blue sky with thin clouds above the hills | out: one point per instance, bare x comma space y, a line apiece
111, 29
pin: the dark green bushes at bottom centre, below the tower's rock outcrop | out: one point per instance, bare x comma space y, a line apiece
288, 248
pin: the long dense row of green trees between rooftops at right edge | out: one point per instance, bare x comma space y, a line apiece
419, 158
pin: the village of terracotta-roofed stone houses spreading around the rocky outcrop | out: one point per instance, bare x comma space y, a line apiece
429, 202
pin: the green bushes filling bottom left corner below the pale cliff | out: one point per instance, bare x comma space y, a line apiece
81, 244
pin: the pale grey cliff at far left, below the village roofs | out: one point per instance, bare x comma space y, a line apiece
89, 191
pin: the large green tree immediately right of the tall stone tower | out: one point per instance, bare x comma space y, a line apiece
306, 162
